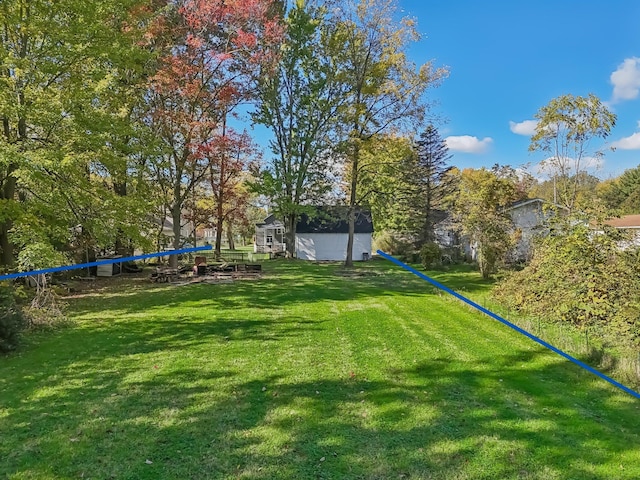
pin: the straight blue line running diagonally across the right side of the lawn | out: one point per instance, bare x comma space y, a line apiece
509, 324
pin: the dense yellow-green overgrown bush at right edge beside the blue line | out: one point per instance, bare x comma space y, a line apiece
583, 277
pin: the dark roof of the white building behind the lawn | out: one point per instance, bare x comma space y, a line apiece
333, 219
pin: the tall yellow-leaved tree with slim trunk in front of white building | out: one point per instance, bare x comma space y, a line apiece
385, 88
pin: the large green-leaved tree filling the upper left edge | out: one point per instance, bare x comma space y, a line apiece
61, 84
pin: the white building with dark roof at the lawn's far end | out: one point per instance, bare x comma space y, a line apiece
324, 235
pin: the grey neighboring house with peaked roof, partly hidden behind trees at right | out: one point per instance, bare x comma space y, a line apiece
529, 218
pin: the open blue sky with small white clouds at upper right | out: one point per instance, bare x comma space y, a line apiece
508, 58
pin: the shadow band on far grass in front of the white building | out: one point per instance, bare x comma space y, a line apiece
285, 283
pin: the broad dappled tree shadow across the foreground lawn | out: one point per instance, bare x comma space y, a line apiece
474, 422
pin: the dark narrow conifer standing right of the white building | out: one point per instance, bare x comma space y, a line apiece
431, 180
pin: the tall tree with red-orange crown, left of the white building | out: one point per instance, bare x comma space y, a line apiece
212, 51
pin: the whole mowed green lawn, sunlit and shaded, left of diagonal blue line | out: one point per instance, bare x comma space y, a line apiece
304, 374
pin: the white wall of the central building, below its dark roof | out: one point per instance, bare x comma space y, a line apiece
331, 246
